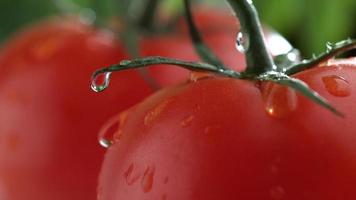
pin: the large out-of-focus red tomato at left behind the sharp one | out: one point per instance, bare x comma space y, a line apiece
49, 117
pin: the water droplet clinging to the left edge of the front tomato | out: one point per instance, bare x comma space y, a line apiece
111, 131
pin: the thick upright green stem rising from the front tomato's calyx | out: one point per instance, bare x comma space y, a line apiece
257, 57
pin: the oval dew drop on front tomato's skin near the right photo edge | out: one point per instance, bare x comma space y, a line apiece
337, 85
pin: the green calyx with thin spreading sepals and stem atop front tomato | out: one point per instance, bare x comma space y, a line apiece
260, 65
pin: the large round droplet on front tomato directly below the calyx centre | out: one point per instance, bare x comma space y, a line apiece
279, 100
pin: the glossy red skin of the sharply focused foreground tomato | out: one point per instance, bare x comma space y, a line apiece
212, 139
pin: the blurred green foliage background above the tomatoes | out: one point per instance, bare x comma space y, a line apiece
308, 24
